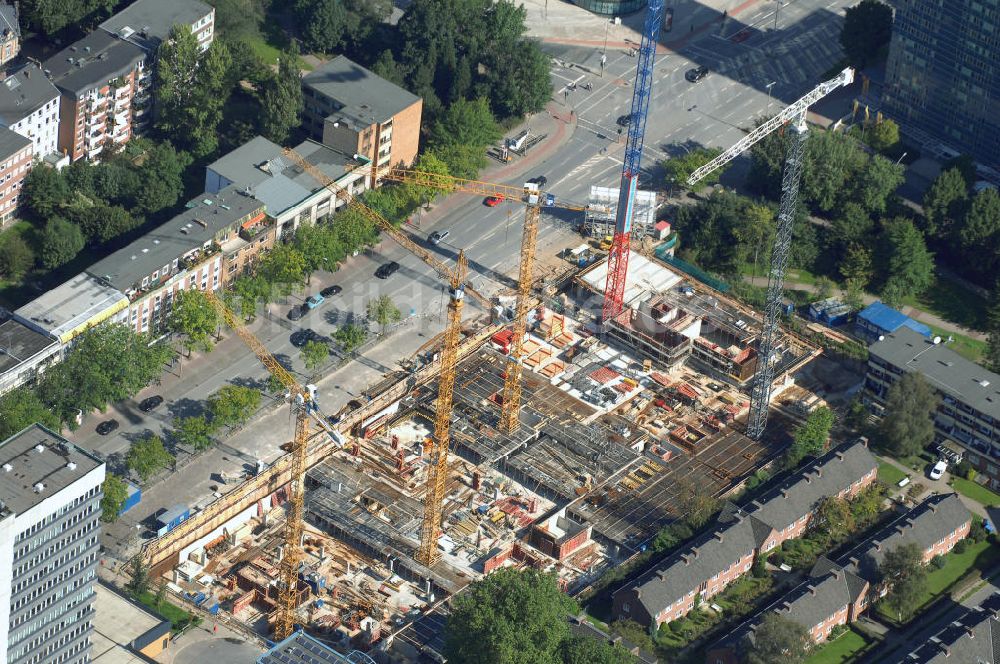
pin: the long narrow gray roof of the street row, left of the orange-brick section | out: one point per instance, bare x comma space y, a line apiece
201, 221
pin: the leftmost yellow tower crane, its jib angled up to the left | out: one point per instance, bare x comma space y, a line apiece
302, 404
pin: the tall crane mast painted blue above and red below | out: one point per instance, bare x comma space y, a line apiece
614, 289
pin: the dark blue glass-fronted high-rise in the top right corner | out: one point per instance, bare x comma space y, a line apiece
943, 73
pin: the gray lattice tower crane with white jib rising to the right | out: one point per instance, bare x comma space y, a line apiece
760, 394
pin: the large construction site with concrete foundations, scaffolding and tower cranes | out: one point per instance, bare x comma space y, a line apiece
546, 438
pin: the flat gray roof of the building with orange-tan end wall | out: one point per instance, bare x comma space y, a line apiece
362, 95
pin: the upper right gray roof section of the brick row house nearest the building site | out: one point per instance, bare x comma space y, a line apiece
828, 475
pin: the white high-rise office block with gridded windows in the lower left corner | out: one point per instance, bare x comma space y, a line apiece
49, 540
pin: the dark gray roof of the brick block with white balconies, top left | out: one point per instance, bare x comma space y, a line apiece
91, 62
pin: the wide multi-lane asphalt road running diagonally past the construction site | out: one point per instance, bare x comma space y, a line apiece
681, 116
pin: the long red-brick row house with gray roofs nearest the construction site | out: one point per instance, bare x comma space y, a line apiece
671, 589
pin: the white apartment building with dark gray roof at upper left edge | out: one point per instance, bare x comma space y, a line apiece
29, 105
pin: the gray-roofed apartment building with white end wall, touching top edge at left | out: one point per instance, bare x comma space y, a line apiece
147, 23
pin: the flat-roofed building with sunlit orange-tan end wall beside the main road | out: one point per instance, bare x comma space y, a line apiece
352, 110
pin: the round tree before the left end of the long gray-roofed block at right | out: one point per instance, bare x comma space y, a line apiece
907, 426
